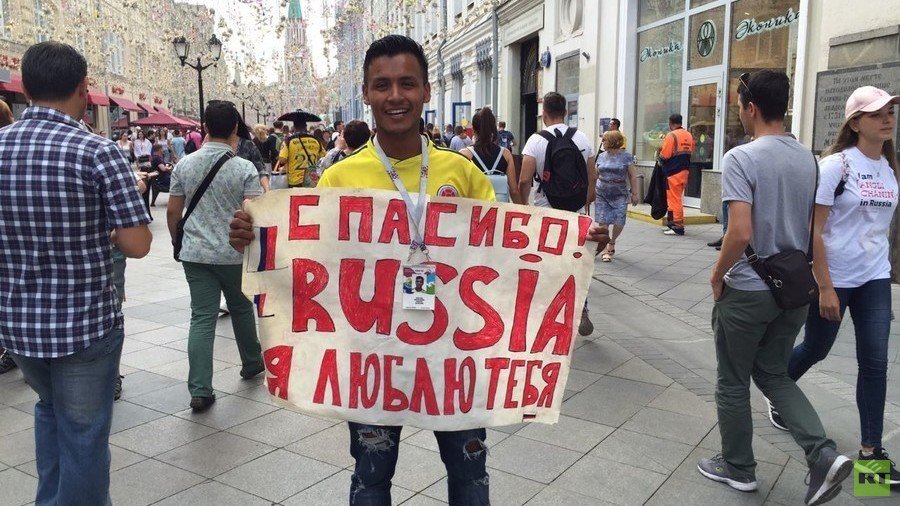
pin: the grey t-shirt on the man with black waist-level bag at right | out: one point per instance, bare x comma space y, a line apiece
777, 176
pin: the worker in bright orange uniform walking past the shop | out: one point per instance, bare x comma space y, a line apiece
675, 159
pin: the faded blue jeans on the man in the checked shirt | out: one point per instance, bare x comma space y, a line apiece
72, 420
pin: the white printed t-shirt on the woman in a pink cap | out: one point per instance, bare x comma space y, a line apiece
856, 233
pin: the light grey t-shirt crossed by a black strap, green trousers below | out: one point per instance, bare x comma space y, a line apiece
206, 231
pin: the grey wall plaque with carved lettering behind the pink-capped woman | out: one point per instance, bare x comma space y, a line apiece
833, 87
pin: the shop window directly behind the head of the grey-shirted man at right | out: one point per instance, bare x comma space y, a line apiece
763, 37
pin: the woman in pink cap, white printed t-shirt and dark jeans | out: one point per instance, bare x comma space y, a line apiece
855, 202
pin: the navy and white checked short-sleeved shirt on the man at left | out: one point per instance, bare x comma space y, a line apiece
62, 190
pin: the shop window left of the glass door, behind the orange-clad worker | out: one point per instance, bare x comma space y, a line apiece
660, 57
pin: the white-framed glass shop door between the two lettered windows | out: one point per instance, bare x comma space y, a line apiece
702, 118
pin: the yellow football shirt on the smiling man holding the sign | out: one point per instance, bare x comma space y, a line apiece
450, 174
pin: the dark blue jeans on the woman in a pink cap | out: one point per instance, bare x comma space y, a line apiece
870, 309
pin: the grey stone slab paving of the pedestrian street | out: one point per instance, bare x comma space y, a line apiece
638, 412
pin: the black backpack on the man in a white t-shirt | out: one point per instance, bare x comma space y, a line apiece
564, 179
